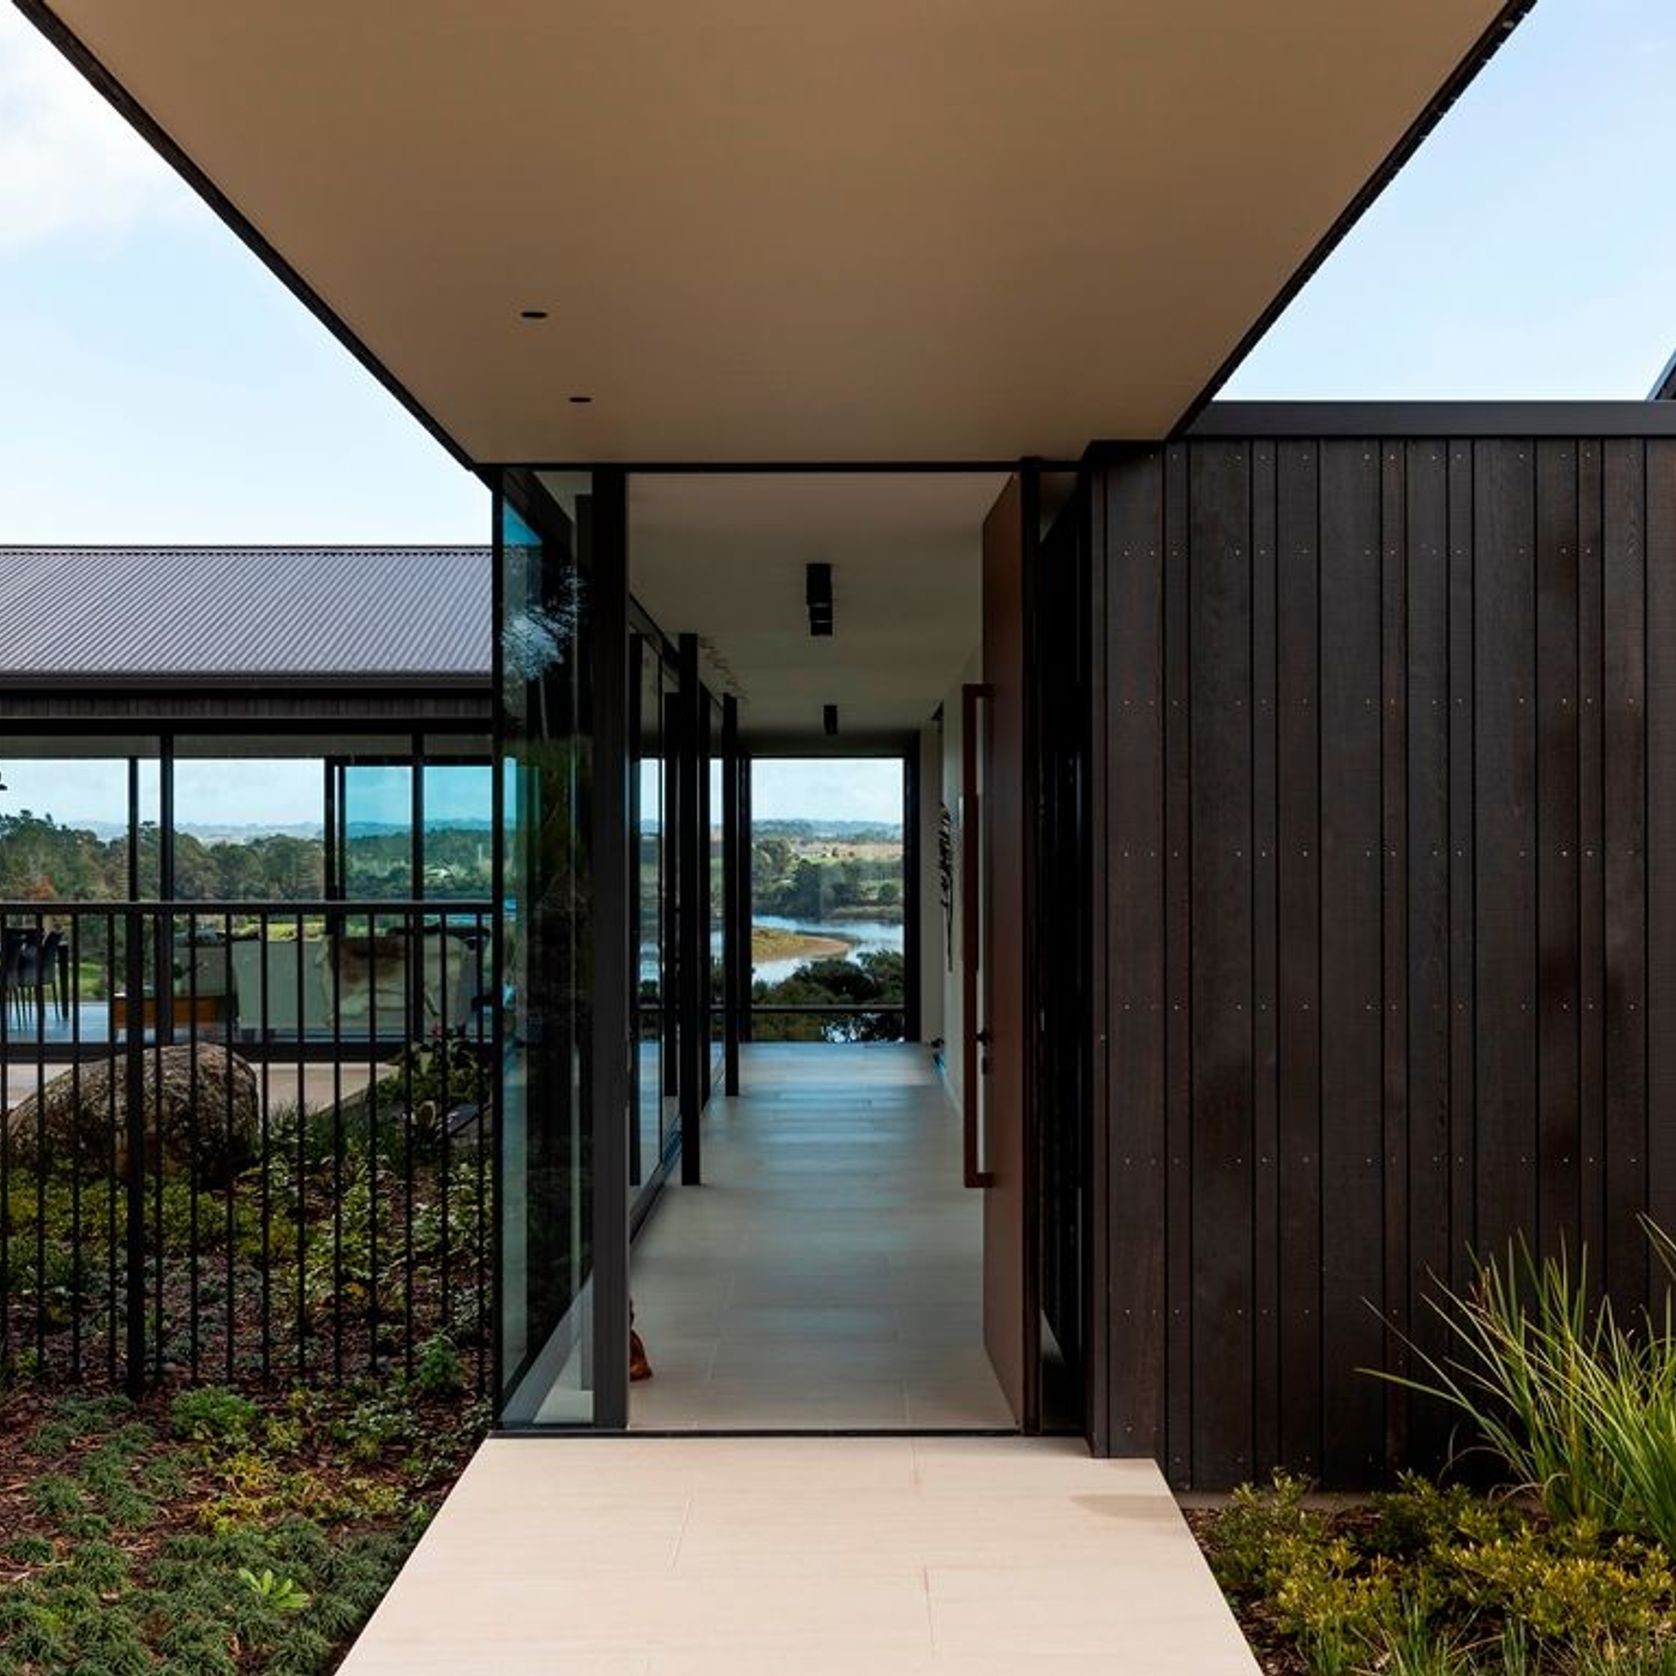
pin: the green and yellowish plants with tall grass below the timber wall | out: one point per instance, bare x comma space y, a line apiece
1565, 1571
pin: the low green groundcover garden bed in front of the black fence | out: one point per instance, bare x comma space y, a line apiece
214, 1533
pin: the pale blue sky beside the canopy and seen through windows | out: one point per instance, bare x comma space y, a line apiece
1526, 252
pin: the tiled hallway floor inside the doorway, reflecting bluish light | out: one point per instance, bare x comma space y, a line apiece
829, 1275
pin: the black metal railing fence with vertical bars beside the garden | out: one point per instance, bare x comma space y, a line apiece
246, 1141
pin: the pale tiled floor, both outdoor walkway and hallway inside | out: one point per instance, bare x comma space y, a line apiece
829, 1276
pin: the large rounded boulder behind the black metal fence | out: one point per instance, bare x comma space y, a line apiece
204, 1110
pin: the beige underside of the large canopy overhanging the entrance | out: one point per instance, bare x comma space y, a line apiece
859, 230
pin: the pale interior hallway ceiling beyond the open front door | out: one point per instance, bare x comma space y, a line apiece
723, 556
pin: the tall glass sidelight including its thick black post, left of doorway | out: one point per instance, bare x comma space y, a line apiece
562, 762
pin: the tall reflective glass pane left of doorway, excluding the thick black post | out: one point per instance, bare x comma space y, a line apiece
547, 1330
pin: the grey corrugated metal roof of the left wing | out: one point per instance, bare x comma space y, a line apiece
241, 614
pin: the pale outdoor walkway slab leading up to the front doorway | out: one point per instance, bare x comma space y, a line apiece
804, 1558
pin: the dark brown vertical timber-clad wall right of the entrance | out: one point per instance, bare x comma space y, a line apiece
1389, 829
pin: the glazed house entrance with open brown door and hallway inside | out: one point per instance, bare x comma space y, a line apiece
819, 1236
